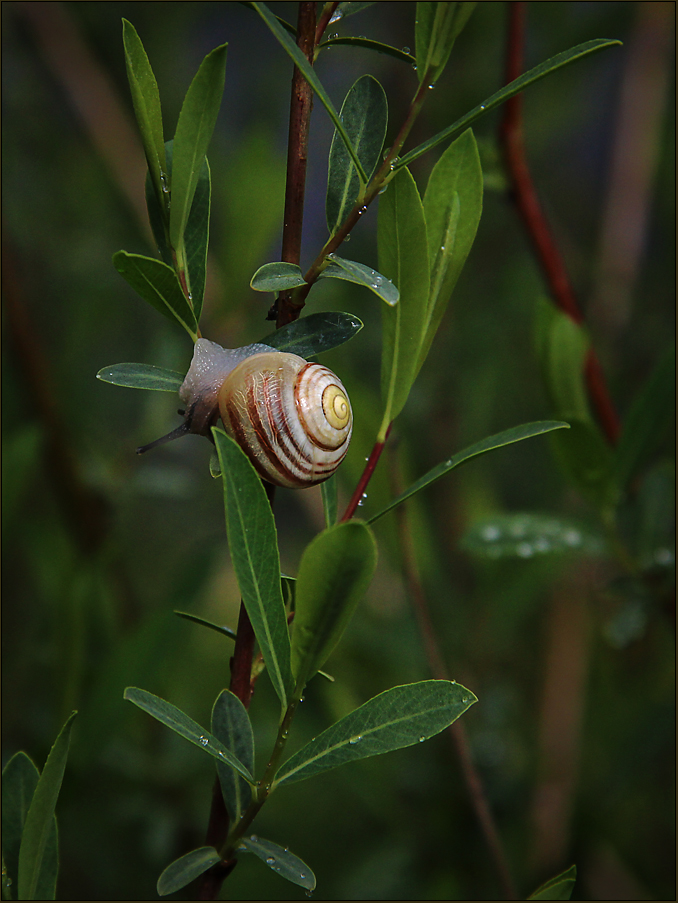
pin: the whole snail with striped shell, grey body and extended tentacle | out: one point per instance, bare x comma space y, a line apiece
291, 417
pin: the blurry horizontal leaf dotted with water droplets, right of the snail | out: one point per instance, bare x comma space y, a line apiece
528, 535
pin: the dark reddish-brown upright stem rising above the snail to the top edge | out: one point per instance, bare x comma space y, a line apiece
301, 104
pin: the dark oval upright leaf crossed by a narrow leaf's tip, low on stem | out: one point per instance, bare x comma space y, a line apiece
231, 726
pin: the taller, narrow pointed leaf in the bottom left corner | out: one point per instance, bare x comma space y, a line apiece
39, 827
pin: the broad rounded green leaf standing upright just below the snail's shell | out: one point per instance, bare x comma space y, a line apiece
334, 574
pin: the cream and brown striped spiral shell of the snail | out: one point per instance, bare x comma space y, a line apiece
292, 418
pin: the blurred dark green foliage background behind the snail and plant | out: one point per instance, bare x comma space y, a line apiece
100, 546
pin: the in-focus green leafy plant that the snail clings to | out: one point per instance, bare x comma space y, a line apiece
423, 244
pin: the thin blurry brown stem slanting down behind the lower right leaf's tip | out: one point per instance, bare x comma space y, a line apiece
456, 731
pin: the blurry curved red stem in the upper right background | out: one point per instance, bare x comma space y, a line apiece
527, 202
